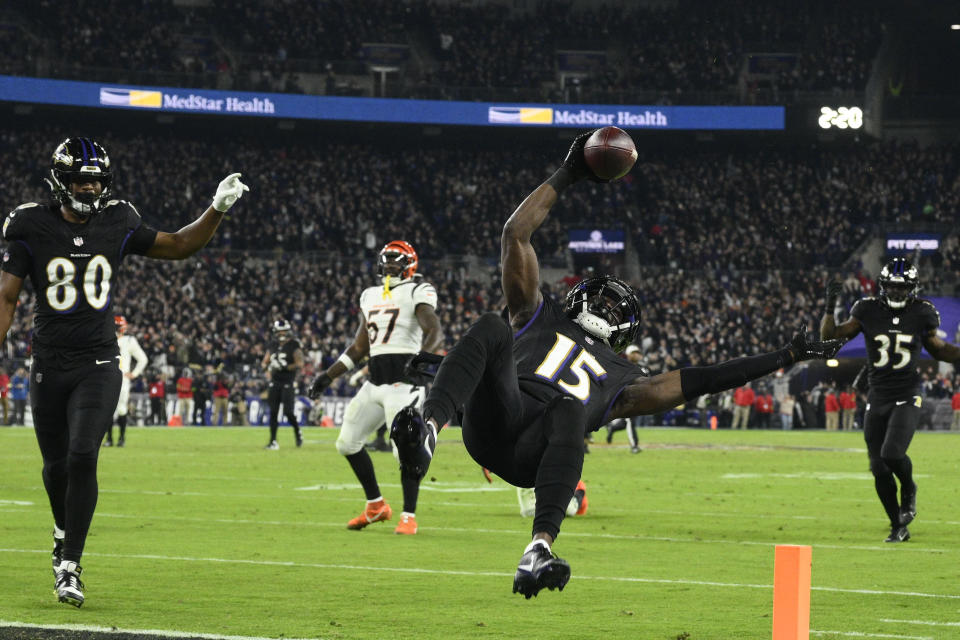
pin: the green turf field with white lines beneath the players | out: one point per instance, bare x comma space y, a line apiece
201, 530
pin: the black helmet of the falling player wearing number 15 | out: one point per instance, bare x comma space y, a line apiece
607, 308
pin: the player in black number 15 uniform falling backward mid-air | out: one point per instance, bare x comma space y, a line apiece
531, 387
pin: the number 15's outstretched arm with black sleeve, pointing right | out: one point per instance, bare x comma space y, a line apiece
667, 390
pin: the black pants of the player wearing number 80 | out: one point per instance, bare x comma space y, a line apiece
72, 410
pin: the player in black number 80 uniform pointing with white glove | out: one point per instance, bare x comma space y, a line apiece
72, 249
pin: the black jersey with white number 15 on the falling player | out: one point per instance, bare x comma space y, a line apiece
555, 356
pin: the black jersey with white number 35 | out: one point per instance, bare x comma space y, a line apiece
894, 339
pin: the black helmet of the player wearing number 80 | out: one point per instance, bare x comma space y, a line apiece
80, 160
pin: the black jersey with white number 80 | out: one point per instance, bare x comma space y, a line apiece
73, 269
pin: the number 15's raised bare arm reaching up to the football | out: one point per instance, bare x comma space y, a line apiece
521, 271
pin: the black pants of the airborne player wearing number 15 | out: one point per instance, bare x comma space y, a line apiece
523, 440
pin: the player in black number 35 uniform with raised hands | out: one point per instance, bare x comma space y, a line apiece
896, 324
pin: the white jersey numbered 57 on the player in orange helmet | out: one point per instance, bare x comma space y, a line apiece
392, 325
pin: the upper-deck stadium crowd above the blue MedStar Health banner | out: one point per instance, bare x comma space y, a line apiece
674, 50
